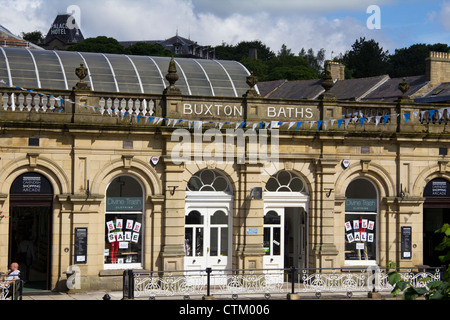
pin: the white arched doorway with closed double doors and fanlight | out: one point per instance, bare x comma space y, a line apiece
208, 221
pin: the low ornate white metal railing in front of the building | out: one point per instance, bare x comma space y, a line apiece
232, 283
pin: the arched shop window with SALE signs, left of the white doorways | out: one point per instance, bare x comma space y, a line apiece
124, 223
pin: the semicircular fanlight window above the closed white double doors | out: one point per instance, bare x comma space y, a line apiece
209, 180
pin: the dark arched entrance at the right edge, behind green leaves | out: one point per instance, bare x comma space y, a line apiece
436, 212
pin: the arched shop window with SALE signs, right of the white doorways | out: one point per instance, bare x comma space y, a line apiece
361, 208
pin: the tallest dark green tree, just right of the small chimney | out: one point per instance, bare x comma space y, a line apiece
366, 59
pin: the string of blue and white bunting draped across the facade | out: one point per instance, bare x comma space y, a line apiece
321, 124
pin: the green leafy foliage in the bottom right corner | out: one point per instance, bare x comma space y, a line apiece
435, 290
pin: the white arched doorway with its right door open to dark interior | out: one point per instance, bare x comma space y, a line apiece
286, 203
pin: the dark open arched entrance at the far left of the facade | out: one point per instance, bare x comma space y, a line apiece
31, 198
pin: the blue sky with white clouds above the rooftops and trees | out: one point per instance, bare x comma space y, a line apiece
329, 24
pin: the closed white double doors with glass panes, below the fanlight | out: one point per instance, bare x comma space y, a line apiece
207, 237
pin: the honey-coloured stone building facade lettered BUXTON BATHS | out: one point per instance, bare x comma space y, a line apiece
106, 180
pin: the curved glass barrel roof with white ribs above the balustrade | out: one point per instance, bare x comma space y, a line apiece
43, 69
